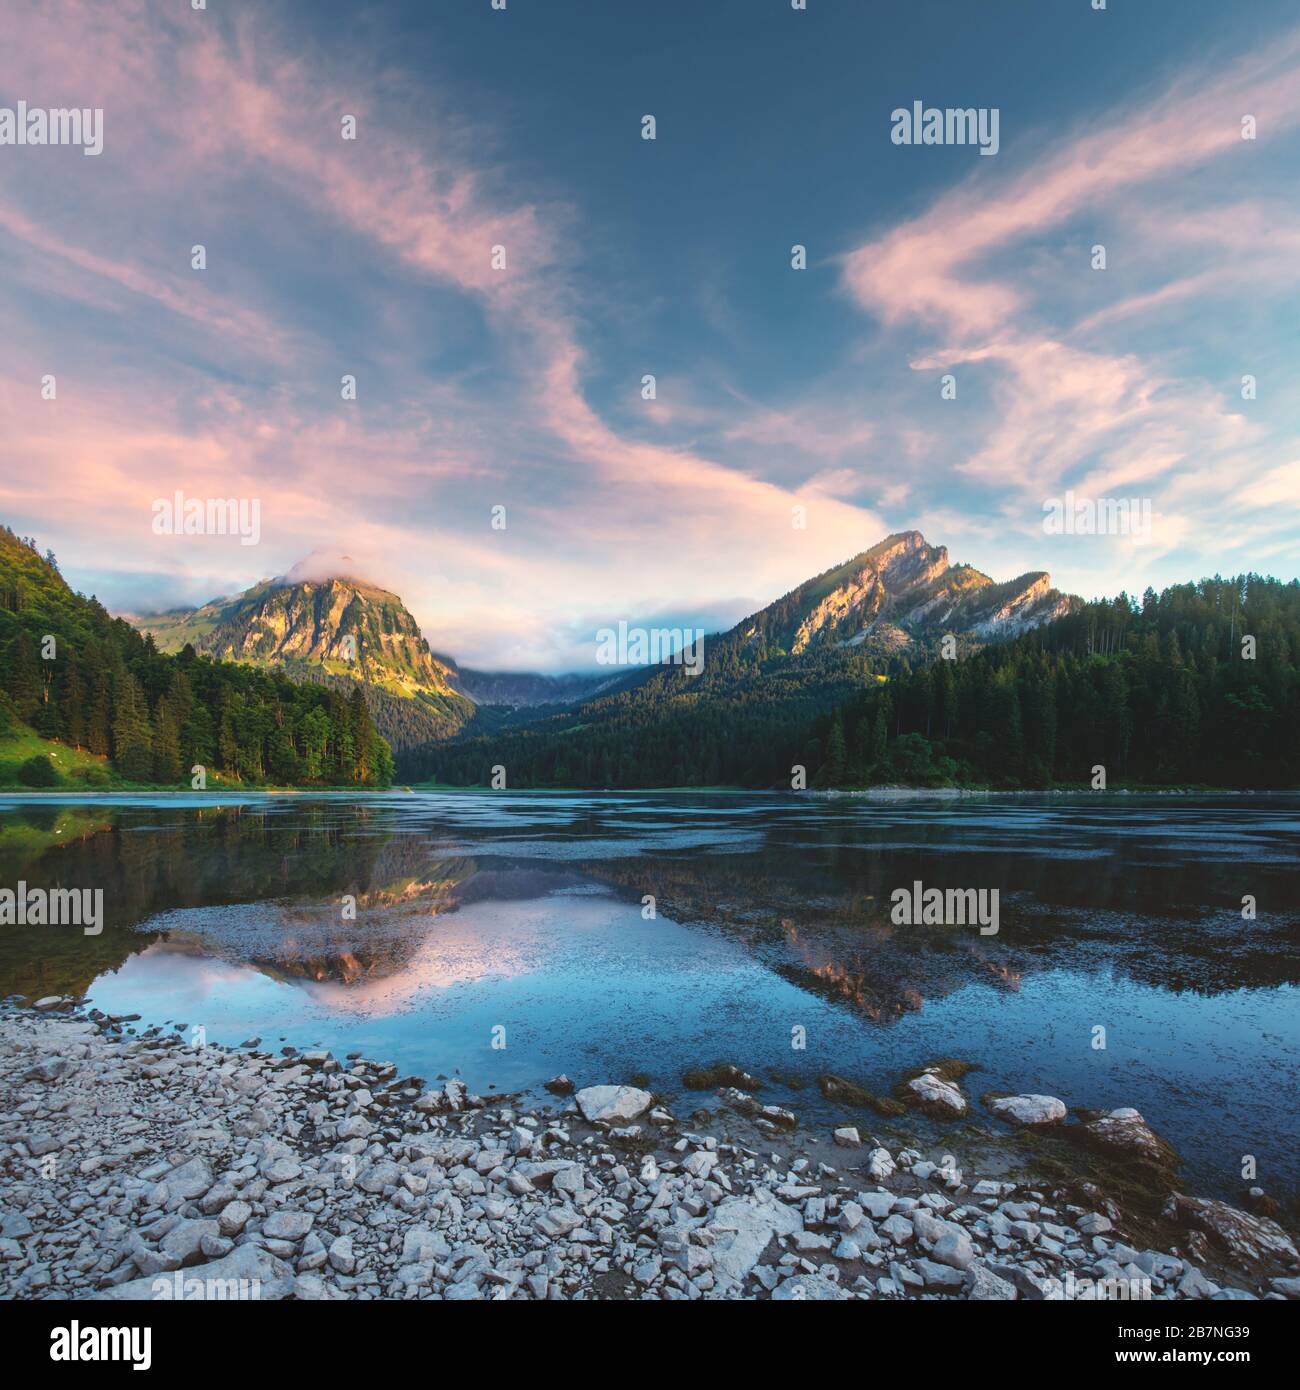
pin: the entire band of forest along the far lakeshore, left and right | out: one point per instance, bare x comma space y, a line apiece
1198, 686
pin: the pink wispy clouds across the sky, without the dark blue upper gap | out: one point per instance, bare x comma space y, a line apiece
483, 386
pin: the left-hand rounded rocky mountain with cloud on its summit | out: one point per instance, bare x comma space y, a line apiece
330, 628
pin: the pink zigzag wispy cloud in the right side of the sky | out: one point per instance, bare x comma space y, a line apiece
1064, 409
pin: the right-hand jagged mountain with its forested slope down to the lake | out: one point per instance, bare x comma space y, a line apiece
818, 647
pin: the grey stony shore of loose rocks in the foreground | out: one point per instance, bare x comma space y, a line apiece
134, 1166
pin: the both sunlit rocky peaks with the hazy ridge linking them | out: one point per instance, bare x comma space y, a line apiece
899, 597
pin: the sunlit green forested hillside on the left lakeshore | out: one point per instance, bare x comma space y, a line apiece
105, 689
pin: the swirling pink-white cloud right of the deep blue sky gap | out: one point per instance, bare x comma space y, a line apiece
989, 281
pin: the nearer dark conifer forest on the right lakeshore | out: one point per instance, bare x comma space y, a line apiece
1199, 685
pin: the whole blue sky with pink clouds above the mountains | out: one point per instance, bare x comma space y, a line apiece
950, 361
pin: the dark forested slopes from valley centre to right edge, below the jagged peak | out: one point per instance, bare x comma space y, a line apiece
1157, 692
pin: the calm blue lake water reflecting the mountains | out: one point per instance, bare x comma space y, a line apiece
523, 913
